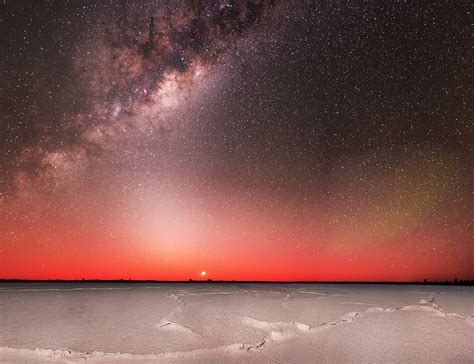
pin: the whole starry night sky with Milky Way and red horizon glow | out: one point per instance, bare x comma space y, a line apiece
253, 140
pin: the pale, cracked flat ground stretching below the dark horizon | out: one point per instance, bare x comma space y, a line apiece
217, 323
